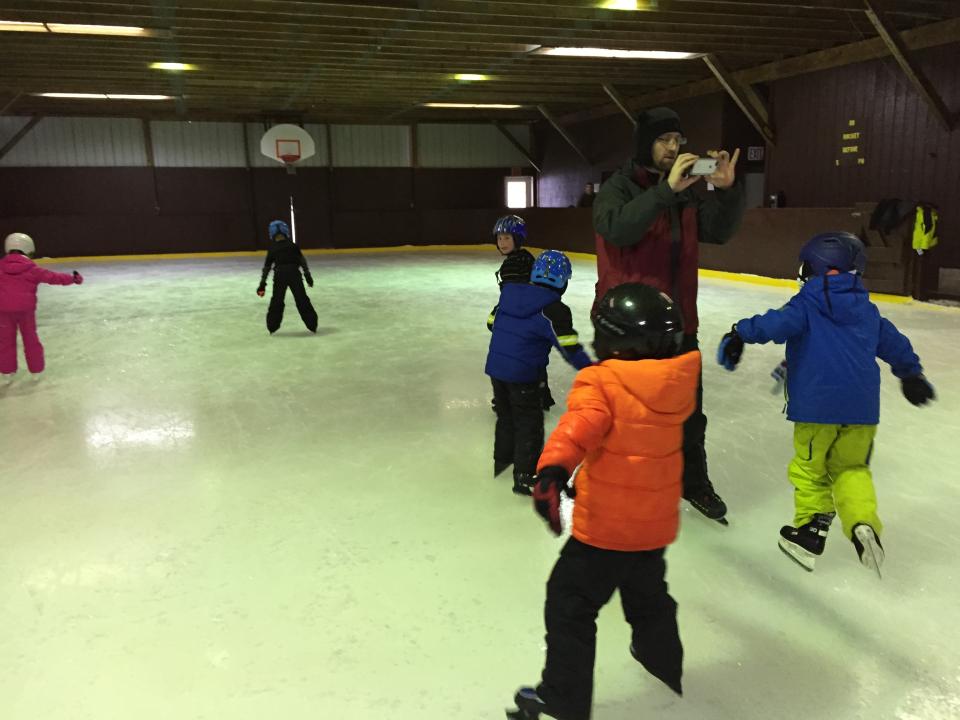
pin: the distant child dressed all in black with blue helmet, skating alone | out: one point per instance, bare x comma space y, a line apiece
286, 260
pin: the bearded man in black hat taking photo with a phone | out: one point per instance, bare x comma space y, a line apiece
648, 222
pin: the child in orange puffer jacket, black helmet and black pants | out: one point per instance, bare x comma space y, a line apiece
624, 423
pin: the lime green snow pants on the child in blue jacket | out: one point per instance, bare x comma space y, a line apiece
831, 472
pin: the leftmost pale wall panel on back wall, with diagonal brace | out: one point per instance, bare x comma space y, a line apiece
75, 142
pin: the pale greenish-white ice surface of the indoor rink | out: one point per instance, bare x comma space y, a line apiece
200, 521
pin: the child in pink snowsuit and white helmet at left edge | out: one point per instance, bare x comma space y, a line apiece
19, 277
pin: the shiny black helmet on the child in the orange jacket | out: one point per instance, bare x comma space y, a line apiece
637, 322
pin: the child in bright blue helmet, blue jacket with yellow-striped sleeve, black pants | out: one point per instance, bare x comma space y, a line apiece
529, 319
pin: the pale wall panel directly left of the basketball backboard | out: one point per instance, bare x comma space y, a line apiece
198, 144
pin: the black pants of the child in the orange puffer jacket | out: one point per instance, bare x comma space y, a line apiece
582, 582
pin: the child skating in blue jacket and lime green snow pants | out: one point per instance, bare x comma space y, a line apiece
834, 335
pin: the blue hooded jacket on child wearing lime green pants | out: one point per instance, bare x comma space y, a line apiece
834, 335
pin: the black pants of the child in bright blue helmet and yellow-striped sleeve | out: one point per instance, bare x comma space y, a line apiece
519, 433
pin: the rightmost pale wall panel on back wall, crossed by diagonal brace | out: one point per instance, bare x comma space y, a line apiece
450, 145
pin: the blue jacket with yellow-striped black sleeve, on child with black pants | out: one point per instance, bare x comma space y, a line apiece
528, 320
